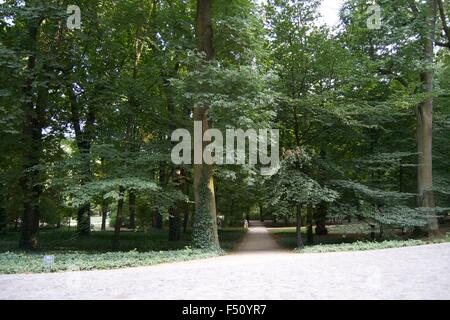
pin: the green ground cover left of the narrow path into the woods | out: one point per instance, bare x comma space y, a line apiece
65, 252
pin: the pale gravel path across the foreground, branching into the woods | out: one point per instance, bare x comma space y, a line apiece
251, 274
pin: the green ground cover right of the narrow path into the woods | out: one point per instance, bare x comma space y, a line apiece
346, 238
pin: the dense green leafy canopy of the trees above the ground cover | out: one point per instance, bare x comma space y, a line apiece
101, 104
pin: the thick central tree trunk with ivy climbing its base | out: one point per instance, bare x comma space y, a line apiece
205, 220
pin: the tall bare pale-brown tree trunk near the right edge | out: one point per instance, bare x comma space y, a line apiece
425, 123
